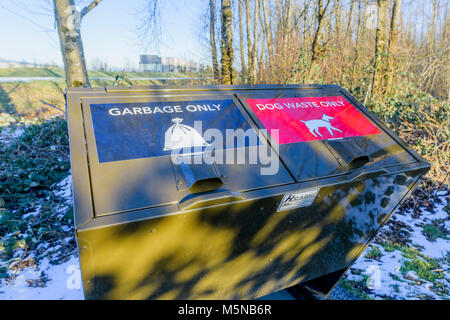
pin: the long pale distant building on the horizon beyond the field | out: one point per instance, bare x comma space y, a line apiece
155, 63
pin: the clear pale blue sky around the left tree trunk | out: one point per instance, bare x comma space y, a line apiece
109, 32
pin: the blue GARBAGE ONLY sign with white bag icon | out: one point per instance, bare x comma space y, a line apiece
125, 131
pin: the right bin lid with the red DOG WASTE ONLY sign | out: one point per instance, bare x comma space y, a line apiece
322, 132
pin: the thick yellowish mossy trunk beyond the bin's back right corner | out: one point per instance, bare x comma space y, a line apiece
380, 46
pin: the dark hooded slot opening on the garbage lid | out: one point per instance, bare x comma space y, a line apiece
192, 174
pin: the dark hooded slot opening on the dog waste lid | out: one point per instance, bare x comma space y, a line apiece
348, 153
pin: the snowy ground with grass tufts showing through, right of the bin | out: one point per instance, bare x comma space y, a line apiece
393, 273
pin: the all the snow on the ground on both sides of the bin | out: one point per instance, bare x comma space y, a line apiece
381, 277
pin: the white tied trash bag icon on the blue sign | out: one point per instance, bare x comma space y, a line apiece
182, 136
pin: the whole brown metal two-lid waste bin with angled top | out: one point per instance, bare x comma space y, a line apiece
155, 220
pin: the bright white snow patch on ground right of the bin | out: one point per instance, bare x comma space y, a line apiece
385, 279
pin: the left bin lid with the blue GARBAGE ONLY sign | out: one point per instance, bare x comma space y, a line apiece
131, 140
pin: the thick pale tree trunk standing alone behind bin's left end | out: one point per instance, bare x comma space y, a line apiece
68, 21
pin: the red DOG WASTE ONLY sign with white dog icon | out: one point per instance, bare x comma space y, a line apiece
314, 118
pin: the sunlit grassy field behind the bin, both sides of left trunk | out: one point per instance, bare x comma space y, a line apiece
22, 100
